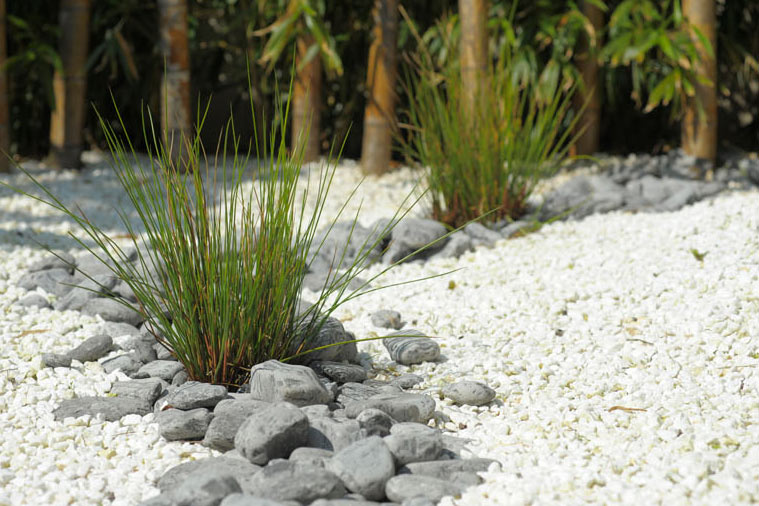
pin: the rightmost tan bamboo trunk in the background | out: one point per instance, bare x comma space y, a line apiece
699, 124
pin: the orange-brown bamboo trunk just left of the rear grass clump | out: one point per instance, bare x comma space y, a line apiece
376, 146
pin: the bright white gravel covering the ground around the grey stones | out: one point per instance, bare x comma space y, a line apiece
625, 368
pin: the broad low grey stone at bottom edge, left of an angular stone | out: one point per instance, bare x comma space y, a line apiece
294, 481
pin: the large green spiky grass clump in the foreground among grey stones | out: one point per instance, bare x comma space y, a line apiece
219, 270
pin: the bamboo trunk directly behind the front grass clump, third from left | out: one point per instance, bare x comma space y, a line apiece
175, 88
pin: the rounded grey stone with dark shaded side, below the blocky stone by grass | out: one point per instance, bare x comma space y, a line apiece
271, 433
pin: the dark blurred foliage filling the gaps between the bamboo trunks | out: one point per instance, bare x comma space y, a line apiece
644, 53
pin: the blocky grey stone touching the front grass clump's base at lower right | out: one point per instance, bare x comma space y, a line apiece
273, 381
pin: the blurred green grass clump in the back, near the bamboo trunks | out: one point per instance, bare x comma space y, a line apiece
486, 158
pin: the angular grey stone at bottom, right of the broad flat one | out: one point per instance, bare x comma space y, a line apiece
364, 467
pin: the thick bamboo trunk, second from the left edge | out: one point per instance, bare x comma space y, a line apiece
70, 85
